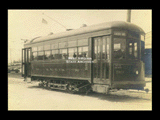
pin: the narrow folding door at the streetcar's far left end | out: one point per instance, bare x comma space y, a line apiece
26, 62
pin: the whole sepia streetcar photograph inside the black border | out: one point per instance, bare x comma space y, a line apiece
79, 59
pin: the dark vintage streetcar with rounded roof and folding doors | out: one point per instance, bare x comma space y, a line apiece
95, 58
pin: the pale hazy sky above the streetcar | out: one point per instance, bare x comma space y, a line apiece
27, 24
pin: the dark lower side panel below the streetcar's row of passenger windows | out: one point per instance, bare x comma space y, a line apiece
67, 70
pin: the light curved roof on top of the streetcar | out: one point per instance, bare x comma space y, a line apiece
107, 25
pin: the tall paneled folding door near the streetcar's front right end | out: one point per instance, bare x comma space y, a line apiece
101, 59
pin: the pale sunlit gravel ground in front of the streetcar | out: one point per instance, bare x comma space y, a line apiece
28, 96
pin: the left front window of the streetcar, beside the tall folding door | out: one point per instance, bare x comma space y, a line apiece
119, 48
